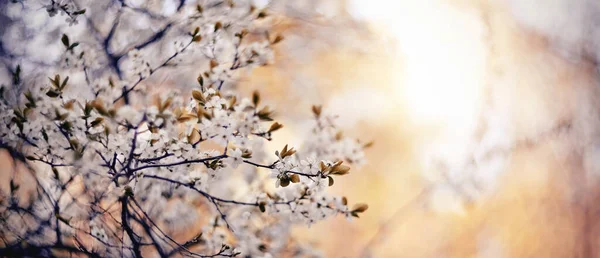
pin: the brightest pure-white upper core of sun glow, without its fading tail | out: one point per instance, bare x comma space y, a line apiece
442, 52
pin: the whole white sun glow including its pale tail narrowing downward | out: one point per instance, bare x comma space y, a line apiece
442, 53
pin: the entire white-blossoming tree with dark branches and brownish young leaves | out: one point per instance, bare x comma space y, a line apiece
120, 170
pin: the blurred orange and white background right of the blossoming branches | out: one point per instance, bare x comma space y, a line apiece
484, 115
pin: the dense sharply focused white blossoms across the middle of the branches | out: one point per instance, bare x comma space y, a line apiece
155, 157
